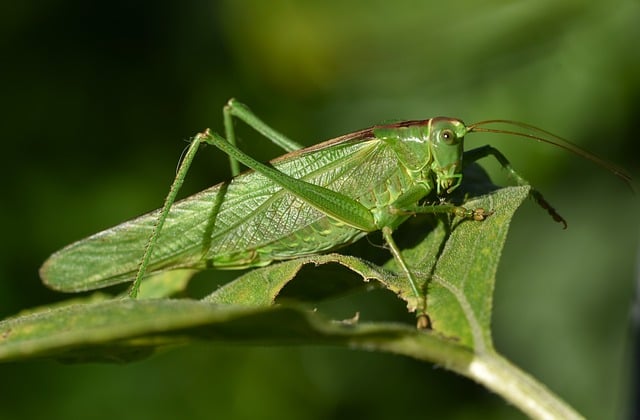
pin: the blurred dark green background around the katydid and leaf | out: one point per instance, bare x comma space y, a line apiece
98, 99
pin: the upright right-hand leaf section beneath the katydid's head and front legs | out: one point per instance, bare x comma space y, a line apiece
461, 284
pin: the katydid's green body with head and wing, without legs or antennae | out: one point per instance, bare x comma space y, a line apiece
252, 221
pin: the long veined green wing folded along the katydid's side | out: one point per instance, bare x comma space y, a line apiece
247, 222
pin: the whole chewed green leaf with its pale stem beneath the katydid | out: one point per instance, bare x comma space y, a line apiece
456, 262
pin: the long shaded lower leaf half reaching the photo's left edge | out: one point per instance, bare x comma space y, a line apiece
122, 330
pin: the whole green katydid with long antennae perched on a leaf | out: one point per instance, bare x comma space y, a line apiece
308, 201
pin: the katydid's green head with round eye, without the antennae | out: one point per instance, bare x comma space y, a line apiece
446, 138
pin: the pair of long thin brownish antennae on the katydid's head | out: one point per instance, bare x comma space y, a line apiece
532, 132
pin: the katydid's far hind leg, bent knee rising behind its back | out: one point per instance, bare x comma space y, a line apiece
236, 109
